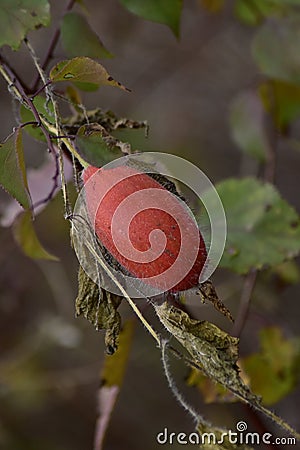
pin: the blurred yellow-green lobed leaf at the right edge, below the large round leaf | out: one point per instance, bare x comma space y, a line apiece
274, 370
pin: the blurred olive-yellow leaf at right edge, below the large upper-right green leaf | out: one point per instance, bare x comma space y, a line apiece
282, 101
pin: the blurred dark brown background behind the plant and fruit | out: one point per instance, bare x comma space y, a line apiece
50, 362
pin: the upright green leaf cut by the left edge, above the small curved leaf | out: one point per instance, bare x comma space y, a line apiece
12, 169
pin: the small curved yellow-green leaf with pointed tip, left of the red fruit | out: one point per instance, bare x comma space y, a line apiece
27, 239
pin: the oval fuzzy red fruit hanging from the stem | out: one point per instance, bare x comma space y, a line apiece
148, 230
